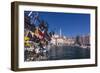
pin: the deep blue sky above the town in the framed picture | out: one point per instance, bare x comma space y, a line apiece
71, 24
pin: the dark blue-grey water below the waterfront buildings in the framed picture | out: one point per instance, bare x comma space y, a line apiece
59, 53
